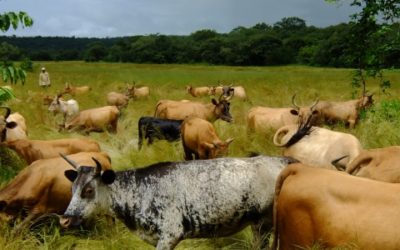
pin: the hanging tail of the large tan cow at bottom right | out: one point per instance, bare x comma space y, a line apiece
286, 172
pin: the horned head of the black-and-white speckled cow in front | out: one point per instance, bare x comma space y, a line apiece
90, 192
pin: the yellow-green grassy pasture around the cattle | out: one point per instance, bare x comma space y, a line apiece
265, 86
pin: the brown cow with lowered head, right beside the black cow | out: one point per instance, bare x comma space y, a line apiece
199, 138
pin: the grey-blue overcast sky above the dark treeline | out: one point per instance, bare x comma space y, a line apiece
111, 18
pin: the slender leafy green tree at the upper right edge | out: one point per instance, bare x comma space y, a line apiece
368, 41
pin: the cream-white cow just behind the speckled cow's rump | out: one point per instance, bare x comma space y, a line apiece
318, 147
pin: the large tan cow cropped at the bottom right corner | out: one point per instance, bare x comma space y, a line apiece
333, 209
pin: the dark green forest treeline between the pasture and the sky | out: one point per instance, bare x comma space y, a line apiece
289, 41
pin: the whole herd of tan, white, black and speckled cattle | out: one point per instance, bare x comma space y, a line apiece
313, 193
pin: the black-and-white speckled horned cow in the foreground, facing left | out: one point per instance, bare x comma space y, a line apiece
168, 202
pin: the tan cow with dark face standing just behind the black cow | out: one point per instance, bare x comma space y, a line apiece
179, 110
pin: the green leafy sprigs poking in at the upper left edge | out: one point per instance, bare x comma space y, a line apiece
13, 20
